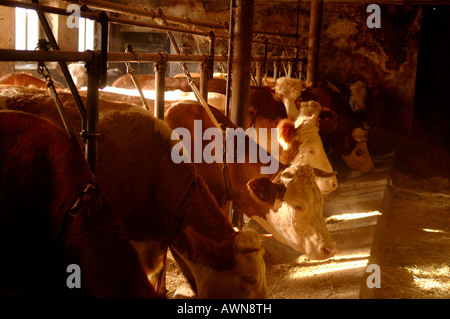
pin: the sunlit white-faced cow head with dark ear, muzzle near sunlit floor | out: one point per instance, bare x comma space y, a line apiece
296, 217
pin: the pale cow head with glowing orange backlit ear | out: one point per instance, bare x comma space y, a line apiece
301, 144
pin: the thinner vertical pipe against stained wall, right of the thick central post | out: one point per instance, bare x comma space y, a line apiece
315, 26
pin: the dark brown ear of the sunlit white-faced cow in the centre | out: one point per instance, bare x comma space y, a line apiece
263, 190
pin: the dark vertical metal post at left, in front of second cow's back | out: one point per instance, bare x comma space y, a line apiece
93, 79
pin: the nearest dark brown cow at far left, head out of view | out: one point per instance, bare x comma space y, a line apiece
53, 215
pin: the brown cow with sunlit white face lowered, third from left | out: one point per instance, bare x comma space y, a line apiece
287, 203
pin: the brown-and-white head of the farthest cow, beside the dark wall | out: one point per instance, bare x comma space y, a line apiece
359, 158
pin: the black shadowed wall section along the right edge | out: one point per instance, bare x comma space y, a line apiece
428, 149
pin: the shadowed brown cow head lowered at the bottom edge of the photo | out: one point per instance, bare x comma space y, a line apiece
232, 269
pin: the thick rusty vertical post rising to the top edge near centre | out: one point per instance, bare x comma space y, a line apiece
242, 62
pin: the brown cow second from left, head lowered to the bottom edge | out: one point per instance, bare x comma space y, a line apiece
161, 204
